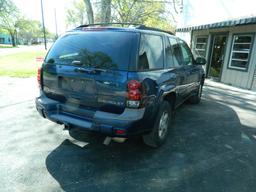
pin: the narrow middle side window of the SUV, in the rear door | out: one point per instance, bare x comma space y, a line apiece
177, 53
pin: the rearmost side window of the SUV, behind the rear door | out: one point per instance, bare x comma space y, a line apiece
151, 52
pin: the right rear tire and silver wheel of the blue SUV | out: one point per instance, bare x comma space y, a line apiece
158, 135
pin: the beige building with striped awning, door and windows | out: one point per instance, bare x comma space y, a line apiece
229, 48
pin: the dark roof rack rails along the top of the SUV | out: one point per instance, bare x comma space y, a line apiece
136, 25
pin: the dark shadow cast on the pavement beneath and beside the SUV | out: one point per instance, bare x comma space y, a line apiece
207, 150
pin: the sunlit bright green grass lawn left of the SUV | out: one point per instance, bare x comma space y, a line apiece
21, 64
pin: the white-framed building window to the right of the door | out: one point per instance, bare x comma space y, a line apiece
240, 53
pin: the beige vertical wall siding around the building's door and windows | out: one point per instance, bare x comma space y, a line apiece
243, 79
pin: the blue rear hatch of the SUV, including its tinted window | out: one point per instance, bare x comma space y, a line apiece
88, 69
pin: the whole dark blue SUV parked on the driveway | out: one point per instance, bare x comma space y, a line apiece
118, 81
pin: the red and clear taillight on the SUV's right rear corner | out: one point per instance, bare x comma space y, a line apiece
134, 93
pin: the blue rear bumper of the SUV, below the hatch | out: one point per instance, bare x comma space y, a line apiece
106, 123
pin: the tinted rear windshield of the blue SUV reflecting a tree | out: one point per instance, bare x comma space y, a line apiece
107, 50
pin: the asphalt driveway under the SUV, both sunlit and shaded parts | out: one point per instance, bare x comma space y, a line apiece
212, 147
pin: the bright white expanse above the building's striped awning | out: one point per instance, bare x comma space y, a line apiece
197, 12
